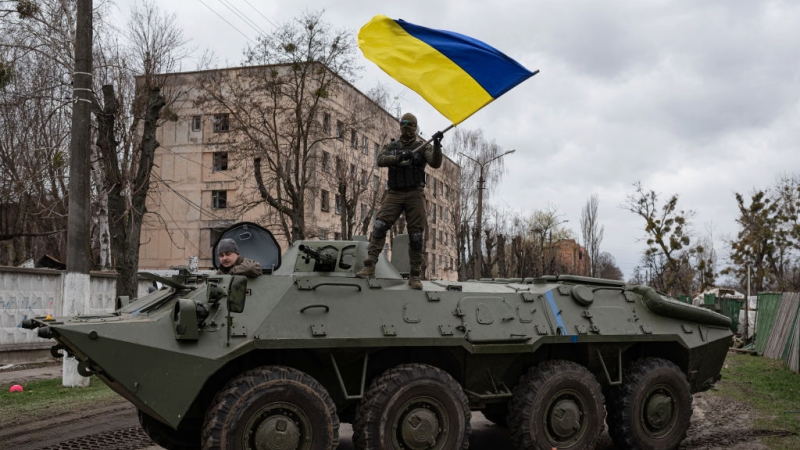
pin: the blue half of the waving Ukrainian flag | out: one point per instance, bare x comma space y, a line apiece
491, 68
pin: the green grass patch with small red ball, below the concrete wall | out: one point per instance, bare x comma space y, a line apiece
51, 397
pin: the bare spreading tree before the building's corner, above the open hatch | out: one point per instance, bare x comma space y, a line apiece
299, 71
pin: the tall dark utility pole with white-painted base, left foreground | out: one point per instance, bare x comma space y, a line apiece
77, 282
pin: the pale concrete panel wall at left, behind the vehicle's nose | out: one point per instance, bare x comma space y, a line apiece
26, 293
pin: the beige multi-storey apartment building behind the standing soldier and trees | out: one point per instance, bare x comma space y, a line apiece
204, 178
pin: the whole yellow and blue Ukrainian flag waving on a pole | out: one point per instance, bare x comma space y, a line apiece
456, 74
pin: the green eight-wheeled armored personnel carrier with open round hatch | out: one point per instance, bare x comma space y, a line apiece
277, 361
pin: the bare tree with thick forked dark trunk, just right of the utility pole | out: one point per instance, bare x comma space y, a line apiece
135, 102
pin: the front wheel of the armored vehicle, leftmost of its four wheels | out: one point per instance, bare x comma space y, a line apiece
272, 407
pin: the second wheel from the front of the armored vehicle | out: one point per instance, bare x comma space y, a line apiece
413, 407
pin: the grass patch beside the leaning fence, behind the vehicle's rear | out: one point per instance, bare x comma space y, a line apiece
771, 389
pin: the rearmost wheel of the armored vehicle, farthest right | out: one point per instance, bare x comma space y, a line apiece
652, 407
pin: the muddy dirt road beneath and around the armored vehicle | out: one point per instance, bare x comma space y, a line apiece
716, 424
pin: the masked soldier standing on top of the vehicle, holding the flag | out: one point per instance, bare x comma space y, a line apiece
405, 194
